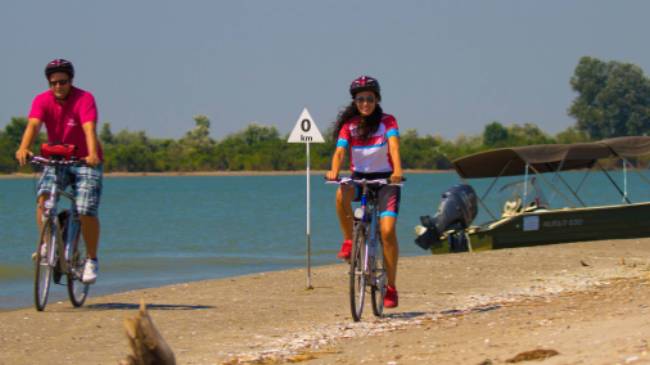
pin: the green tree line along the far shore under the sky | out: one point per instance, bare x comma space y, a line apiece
613, 99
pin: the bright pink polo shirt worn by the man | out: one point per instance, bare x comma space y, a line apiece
63, 121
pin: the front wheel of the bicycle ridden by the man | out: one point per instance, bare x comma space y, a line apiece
44, 263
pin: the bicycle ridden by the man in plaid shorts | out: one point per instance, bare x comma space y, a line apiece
58, 250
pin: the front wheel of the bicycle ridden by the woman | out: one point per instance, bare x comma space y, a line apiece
357, 272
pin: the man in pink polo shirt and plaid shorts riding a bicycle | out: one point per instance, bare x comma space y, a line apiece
70, 117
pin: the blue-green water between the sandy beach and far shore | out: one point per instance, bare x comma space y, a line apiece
162, 230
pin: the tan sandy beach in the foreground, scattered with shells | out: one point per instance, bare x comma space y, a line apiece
581, 303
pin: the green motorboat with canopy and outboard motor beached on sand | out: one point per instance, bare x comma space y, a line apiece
526, 216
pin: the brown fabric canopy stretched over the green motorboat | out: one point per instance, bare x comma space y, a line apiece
549, 157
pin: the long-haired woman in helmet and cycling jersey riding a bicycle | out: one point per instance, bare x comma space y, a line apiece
373, 140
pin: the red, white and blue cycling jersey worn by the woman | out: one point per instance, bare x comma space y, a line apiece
369, 155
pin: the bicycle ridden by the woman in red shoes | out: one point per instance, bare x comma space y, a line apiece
367, 269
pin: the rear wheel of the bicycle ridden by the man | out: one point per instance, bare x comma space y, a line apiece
77, 290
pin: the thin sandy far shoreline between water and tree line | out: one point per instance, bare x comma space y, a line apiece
212, 173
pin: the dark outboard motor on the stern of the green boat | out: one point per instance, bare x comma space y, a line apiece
456, 212
